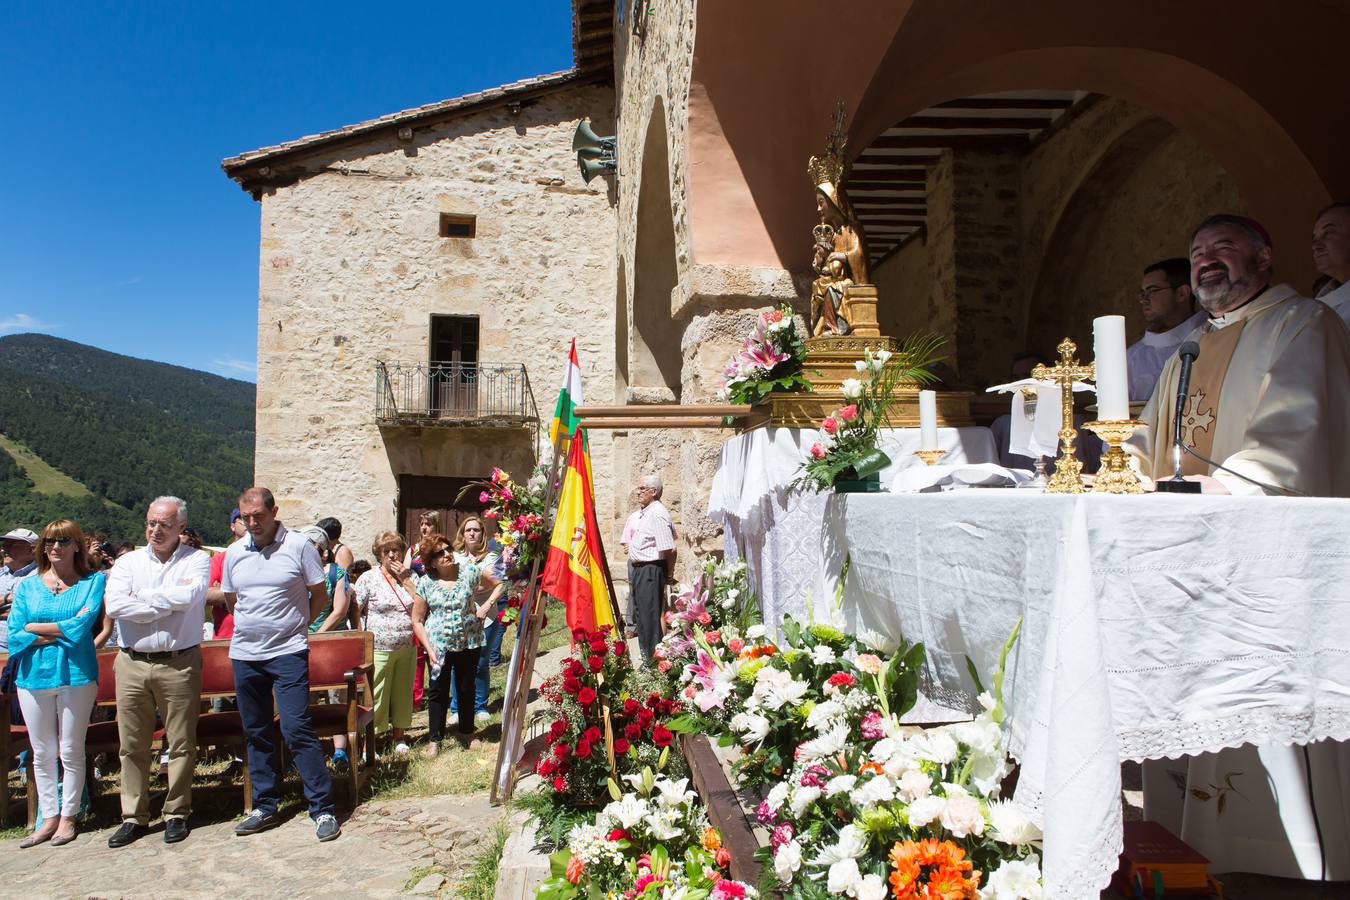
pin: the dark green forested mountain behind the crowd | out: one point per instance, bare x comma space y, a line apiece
129, 430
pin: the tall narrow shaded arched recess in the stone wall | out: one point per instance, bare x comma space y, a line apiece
654, 360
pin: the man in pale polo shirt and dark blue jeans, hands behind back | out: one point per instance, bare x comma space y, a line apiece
275, 586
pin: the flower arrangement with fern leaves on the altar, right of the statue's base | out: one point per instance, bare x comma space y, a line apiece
848, 449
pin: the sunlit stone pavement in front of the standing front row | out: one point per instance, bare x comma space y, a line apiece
381, 848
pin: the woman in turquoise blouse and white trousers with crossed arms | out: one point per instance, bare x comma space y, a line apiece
52, 625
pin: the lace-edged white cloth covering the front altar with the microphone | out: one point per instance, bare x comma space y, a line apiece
1152, 627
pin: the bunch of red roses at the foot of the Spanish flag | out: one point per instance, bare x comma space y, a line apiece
600, 731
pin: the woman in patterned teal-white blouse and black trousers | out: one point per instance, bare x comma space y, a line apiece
450, 627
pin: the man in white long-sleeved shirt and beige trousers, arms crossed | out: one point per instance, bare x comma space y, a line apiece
159, 596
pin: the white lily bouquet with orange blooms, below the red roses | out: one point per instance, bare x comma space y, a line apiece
651, 843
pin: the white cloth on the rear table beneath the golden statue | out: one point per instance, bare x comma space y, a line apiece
778, 534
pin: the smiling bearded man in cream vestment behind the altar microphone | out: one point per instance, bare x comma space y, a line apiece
1270, 395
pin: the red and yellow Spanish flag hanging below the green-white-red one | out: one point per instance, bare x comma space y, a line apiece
574, 570
